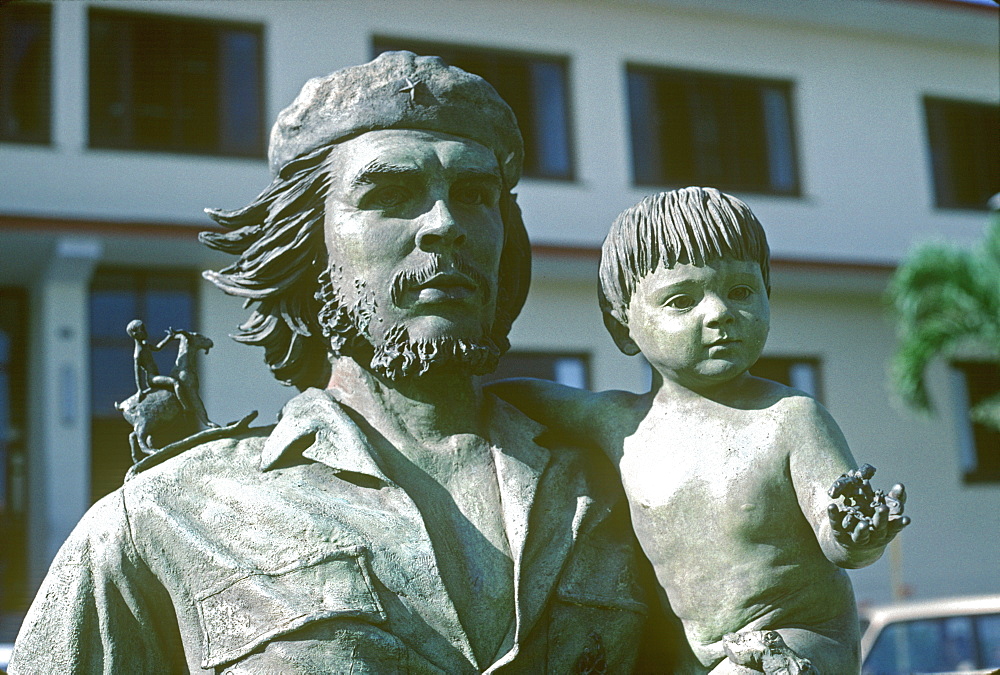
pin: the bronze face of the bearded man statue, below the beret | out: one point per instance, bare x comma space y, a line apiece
414, 233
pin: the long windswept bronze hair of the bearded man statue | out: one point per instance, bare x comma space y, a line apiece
283, 262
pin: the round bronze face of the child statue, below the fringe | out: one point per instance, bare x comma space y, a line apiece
701, 326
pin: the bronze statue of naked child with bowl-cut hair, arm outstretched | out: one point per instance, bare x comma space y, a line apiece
727, 474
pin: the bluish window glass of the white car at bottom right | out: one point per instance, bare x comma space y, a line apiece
944, 644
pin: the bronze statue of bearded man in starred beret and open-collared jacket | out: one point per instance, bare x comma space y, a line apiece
396, 518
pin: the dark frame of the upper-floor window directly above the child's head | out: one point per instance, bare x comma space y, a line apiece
692, 77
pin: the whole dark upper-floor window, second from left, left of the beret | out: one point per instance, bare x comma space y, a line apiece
176, 85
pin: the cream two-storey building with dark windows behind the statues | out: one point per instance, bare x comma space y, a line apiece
853, 129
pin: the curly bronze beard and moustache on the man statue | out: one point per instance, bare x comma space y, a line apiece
396, 356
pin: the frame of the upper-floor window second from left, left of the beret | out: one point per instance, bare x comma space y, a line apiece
126, 73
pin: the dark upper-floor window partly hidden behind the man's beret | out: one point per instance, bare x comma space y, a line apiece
534, 86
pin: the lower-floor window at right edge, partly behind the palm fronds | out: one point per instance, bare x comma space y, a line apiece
978, 381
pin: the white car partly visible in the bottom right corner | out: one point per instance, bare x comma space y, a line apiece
950, 635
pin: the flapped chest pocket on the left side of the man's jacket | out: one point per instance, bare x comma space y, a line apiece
253, 607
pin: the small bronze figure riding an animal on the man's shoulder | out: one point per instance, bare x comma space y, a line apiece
165, 408
